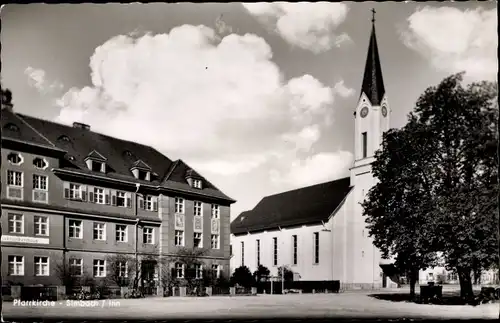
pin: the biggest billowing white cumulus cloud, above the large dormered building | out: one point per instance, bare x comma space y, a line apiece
220, 104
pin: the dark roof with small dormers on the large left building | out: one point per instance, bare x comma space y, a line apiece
120, 155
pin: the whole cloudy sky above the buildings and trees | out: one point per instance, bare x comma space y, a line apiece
257, 97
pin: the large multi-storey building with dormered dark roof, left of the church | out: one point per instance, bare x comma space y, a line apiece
71, 195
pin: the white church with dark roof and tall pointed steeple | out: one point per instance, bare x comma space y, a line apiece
319, 231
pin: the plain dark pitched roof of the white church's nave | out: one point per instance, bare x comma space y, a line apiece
306, 205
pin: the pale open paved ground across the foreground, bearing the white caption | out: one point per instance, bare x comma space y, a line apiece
263, 306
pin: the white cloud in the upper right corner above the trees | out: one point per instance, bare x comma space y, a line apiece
456, 40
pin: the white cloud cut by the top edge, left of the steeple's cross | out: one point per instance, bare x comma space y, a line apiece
310, 26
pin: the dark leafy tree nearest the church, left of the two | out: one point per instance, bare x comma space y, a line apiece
397, 208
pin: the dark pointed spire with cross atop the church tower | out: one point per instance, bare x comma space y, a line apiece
373, 83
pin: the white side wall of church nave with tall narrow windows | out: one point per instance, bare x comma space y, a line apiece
305, 251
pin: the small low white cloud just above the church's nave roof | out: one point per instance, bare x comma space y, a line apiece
318, 168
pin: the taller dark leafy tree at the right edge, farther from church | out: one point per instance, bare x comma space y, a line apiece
462, 122
